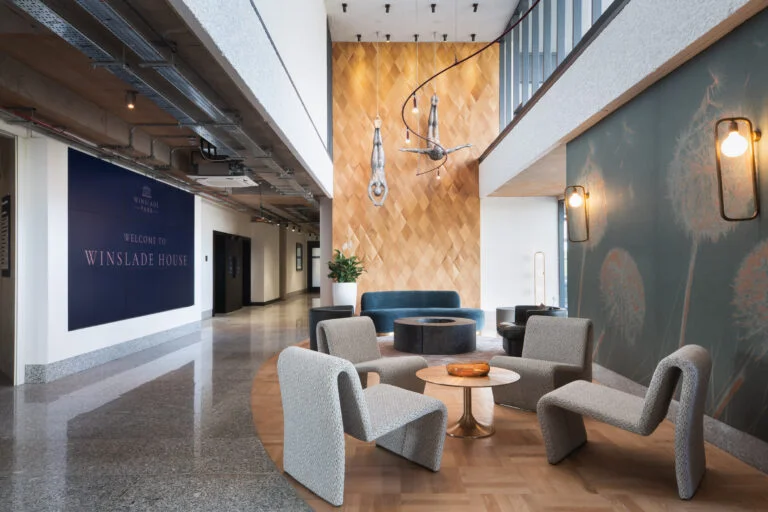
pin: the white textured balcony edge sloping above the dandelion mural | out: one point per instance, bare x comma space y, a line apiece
644, 42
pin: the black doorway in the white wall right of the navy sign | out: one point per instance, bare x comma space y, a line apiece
231, 272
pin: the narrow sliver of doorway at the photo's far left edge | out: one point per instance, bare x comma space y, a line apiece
7, 246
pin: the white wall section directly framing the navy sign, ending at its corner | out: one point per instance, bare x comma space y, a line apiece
43, 277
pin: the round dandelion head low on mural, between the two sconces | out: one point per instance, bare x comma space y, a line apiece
623, 296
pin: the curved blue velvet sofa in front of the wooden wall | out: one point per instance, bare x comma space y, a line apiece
386, 307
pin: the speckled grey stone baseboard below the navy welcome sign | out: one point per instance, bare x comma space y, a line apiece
42, 373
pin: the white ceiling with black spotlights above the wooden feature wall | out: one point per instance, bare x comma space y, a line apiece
453, 17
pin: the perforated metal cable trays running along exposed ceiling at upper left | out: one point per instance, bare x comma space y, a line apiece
221, 129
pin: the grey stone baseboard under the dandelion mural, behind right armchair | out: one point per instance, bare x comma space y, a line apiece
741, 445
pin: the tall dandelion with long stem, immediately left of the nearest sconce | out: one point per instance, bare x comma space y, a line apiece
692, 185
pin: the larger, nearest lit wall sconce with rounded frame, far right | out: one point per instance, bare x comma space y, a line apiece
736, 168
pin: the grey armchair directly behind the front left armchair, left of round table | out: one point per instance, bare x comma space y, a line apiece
354, 339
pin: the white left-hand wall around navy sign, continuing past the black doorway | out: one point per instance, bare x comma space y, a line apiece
40, 262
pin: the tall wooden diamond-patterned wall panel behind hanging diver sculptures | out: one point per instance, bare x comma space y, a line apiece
426, 236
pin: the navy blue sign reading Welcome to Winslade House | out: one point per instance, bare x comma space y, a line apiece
131, 244
